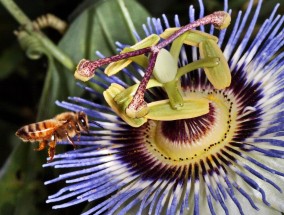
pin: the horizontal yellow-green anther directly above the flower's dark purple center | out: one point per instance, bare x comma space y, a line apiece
163, 111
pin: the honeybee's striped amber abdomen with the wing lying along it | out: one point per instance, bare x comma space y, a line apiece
40, 130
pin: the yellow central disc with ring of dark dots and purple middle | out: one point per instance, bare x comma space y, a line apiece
191, 139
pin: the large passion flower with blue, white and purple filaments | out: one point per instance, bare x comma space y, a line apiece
227, 159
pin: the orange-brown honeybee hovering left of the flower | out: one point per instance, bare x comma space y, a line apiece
63, 126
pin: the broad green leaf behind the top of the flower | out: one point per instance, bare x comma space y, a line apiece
99, 27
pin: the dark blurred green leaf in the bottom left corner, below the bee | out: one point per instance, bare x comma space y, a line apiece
19, 186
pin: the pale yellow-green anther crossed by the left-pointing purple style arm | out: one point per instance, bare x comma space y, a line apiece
115, 67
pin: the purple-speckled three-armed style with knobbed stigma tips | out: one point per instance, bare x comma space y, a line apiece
138, 107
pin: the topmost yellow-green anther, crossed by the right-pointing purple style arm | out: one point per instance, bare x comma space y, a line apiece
193, 38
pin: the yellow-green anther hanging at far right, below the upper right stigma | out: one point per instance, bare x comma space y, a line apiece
220, 75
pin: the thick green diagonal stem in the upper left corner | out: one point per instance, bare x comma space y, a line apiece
23, 20
